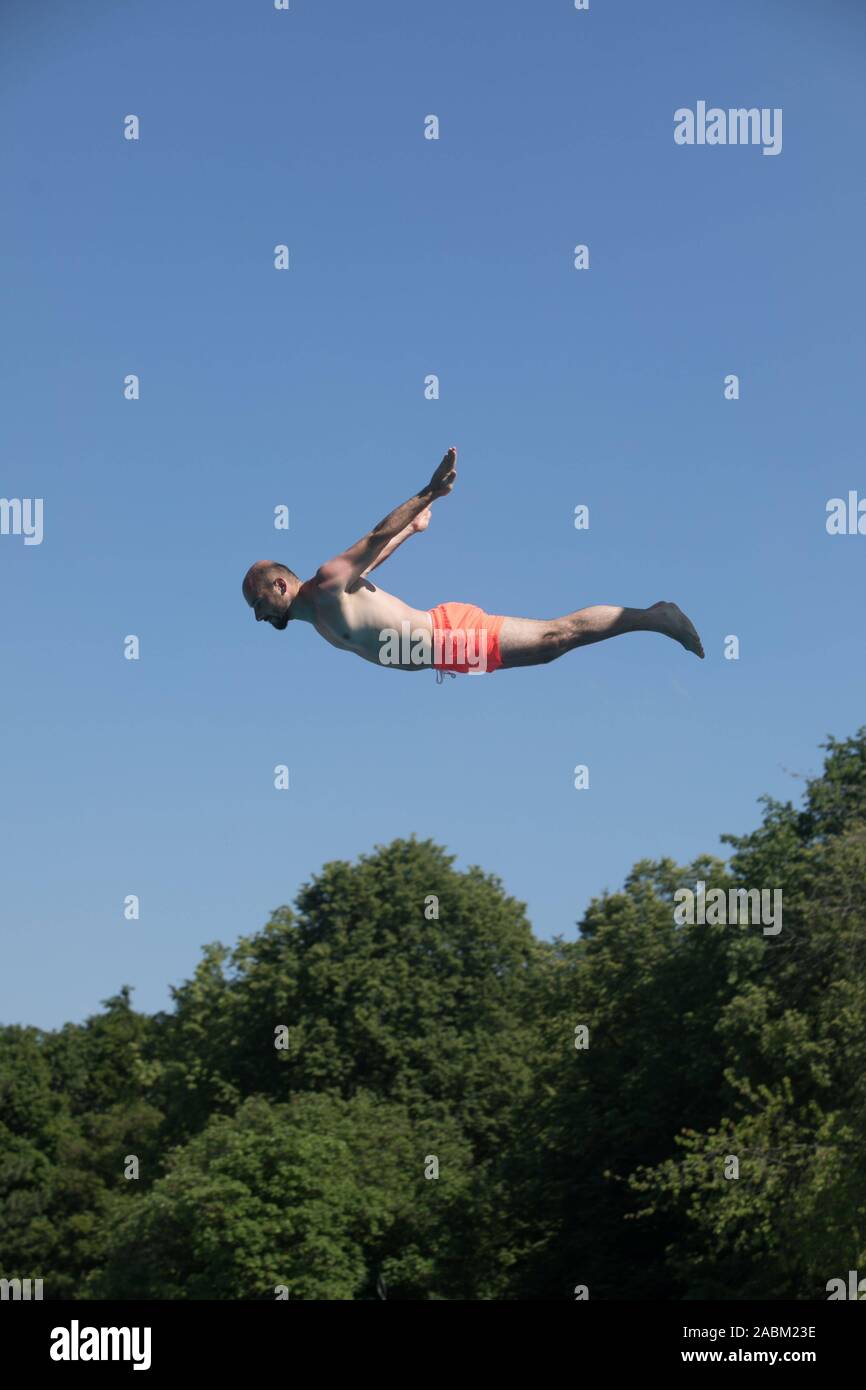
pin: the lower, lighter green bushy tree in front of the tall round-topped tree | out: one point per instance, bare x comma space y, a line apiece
322, 1196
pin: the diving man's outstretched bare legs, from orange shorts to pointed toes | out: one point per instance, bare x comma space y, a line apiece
526, 641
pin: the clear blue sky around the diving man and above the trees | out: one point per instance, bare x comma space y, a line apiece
408, 258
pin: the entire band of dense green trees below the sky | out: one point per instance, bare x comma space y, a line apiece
429, 1032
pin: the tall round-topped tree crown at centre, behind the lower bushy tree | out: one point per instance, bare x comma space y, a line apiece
375, 993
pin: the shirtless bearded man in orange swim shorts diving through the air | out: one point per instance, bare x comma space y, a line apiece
355, 615
